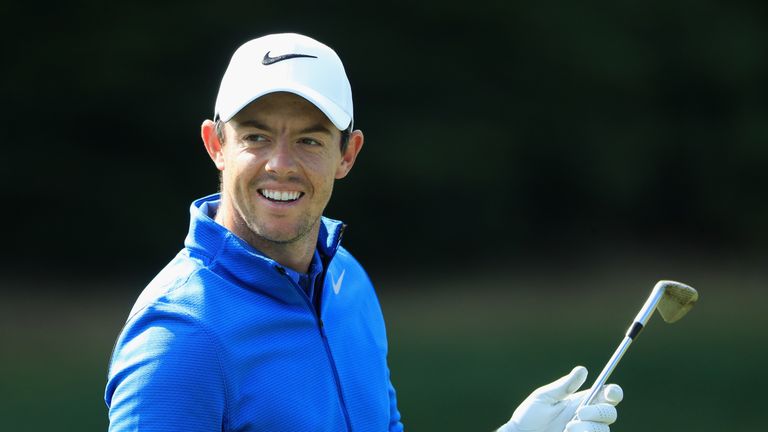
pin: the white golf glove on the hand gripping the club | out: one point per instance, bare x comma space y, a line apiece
551, 408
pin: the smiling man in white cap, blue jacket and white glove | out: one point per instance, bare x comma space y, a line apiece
263, 322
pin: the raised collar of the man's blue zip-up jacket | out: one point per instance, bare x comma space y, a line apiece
232, 257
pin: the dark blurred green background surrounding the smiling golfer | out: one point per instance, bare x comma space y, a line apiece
544, 154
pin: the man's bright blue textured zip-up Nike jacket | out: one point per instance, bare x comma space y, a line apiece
224, 340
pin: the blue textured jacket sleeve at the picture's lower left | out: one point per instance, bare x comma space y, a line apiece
165, 375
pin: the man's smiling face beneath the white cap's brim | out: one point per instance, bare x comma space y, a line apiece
279, 160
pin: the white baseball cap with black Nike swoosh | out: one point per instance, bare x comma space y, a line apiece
286, 62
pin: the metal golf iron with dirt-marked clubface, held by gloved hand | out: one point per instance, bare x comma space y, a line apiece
672, 299
